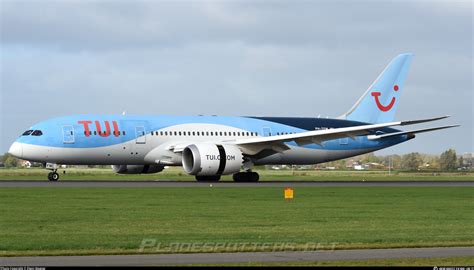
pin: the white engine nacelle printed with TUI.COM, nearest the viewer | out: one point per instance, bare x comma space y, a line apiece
212, 159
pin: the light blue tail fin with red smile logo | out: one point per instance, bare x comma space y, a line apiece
379, 102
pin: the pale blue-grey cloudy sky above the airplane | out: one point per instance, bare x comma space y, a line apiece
262, 58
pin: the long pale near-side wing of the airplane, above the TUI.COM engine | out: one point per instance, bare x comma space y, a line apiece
252, 146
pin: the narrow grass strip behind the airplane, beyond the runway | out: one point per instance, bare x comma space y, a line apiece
177, 173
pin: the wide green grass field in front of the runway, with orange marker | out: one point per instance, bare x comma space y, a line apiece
54, 221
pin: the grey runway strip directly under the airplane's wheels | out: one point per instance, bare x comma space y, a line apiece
165, 183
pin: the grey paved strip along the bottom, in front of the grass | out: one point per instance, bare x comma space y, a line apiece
243, 257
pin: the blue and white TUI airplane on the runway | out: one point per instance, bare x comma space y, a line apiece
211, 146
